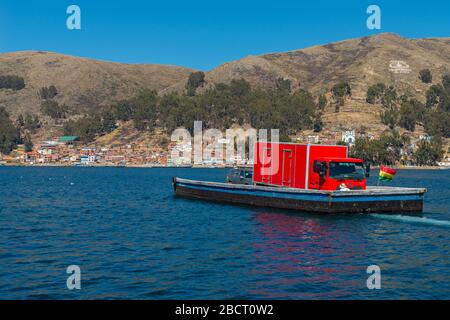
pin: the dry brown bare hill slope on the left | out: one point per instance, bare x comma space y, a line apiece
81, 83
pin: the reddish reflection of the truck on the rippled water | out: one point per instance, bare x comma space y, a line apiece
306, 253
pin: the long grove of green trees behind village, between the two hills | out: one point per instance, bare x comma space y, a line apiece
219, 107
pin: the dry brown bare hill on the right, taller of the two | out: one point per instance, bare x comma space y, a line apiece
362, 62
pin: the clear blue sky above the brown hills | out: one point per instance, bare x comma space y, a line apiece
204, 34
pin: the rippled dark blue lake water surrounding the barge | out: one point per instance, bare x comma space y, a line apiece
133, 239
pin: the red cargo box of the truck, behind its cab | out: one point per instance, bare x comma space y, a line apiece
290, 164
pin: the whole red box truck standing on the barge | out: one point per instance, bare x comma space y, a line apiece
320, 167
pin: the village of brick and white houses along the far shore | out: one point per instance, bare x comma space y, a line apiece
69, 151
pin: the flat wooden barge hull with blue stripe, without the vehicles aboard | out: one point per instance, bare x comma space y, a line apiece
373, 199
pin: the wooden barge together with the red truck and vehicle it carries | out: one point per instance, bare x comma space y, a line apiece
310, 178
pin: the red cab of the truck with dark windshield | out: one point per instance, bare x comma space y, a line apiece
338, 174
